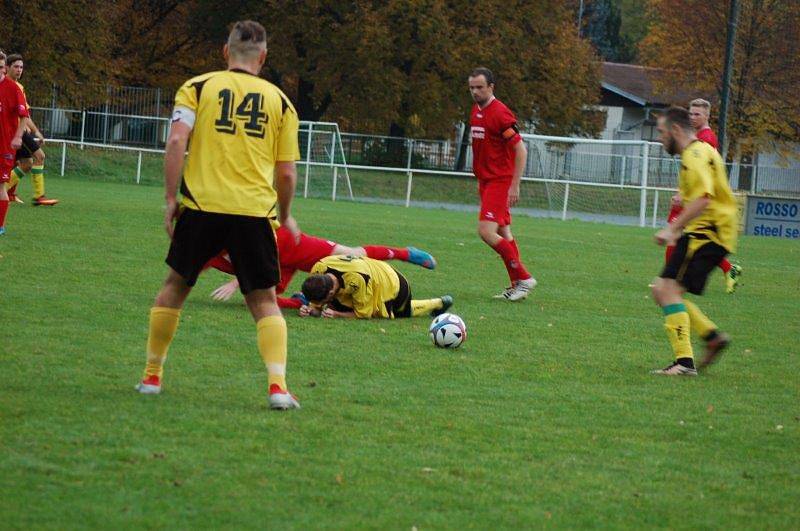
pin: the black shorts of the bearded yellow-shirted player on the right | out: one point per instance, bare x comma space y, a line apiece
692, 261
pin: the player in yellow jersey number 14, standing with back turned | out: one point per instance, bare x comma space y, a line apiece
242, 137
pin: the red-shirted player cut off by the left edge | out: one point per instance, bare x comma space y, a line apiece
12, 107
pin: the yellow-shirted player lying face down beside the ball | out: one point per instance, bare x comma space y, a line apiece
363, 288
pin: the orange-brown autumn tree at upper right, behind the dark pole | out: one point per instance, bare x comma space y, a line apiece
688, 37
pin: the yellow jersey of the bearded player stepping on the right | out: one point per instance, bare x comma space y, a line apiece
703, 174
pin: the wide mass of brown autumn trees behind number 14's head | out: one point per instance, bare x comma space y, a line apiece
396, 66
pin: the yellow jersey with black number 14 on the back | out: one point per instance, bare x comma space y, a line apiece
242, 126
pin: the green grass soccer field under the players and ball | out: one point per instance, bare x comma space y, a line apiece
546, 417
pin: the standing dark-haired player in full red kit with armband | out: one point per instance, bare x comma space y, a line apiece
498, 160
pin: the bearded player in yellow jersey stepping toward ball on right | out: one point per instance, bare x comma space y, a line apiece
703, 233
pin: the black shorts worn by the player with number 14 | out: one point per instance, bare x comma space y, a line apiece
250, 242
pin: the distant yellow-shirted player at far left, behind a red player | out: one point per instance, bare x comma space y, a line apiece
30, 157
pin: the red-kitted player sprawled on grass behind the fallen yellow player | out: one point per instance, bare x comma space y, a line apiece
301, 254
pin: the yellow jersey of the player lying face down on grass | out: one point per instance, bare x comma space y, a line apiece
366, 285
